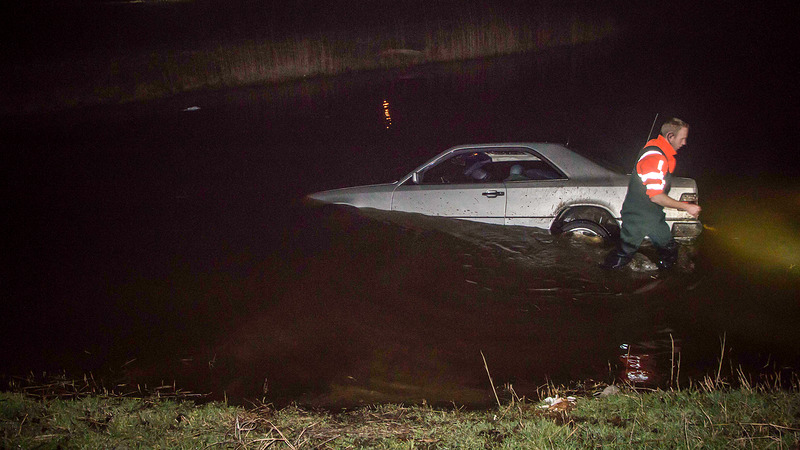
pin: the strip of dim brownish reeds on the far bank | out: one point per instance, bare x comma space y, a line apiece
71, 80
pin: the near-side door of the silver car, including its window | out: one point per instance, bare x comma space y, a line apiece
452, 188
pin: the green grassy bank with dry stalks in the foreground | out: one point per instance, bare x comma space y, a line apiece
696, 418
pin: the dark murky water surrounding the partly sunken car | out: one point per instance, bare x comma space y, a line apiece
146, 243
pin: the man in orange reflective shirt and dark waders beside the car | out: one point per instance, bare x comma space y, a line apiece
643, 208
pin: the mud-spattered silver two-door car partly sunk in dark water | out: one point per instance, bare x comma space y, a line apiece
543, 185
